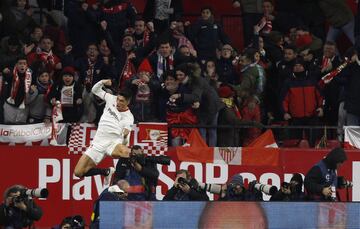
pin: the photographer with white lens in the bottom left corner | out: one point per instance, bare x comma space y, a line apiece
19, 209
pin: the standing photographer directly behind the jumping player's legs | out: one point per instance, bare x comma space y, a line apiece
141, 174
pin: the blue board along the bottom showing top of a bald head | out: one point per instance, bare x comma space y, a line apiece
229, 215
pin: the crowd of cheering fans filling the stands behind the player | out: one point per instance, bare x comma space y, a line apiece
180, 72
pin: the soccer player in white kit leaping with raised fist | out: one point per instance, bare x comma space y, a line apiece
111, 136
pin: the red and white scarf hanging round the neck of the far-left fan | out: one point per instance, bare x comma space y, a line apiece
16, 84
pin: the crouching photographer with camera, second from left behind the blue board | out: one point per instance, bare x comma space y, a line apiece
185, 188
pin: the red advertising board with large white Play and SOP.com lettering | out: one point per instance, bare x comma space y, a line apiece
52, 167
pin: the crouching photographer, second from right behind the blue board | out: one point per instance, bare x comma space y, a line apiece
290, 191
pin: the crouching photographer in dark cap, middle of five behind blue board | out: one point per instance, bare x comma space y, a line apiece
235, 190
